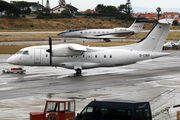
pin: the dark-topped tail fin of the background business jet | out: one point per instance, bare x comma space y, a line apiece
138, 25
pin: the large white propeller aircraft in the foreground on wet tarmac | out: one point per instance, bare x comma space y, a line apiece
78, 57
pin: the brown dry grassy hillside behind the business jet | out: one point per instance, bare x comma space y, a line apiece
22, 24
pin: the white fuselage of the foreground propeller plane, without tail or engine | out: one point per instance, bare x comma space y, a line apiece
93, 57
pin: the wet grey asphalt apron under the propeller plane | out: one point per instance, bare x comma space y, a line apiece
140, 81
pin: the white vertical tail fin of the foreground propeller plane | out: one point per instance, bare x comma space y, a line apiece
155, 40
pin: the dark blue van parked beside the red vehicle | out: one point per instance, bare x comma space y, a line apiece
115, 110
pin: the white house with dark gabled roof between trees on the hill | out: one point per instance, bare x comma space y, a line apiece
63, 6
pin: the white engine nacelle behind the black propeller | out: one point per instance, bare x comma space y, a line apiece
64, 51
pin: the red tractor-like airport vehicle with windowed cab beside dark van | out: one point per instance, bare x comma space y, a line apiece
56, 110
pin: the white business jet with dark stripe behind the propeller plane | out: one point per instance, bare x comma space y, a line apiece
106, 34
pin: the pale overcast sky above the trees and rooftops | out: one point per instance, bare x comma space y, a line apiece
137, 5
